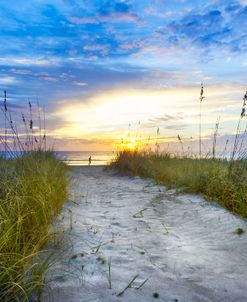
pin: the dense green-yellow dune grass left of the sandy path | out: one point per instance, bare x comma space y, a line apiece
33, 189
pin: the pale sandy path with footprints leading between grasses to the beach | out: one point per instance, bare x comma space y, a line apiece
187, 248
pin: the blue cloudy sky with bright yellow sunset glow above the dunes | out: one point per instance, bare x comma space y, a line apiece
106, 70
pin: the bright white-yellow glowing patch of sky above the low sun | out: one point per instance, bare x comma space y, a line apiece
106, 117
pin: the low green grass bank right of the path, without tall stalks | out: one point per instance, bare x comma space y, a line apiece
217, 179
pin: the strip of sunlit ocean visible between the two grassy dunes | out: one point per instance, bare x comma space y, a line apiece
81, 158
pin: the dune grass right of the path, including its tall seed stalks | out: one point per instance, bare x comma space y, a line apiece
218, 179
